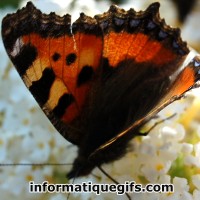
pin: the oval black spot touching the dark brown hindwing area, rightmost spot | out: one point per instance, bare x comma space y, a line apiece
85, 75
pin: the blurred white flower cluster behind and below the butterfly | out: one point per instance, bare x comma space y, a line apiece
167, 155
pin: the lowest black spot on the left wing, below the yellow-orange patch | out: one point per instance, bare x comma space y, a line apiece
63, 103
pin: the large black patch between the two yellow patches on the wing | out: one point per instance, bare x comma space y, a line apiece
41, 88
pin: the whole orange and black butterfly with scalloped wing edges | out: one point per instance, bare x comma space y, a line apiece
101, 78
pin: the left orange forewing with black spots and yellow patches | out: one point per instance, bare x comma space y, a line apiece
56, 60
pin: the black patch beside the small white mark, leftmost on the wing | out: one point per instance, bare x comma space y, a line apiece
24, 59
